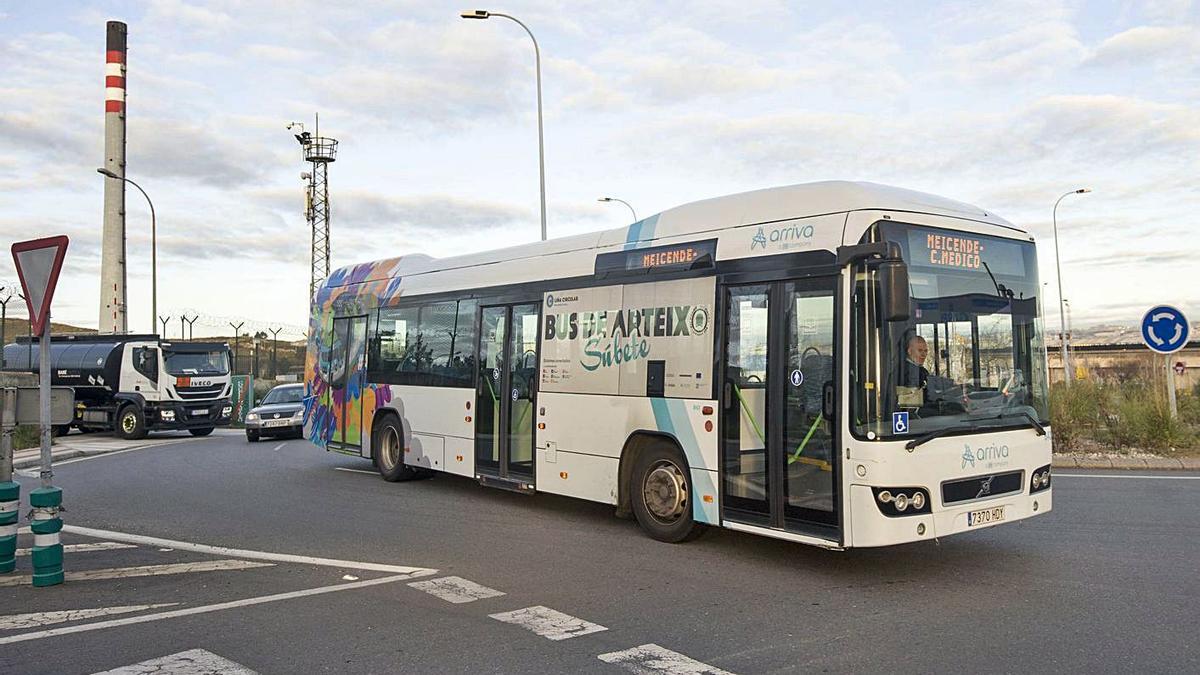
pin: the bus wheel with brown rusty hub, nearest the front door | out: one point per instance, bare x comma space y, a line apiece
662, 495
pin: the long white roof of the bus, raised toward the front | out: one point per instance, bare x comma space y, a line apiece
772, 205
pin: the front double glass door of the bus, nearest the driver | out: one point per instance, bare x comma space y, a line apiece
779, 464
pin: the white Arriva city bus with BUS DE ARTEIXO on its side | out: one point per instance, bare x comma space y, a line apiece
841, 365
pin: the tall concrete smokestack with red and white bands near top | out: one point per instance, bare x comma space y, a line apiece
112, 264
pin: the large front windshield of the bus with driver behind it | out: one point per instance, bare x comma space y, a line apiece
971, 355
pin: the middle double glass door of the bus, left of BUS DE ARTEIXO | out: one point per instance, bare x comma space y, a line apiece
507, 392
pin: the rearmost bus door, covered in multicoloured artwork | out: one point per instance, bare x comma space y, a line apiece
349, 378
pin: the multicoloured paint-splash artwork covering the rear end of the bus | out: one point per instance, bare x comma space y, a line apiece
344, 414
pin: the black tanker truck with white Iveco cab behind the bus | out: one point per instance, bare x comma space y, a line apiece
133, 385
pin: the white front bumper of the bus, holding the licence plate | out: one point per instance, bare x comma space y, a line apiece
872, 528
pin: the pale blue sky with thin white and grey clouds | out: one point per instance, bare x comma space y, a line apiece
1006, 105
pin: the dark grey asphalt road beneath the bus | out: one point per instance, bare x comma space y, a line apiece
1108, 582
